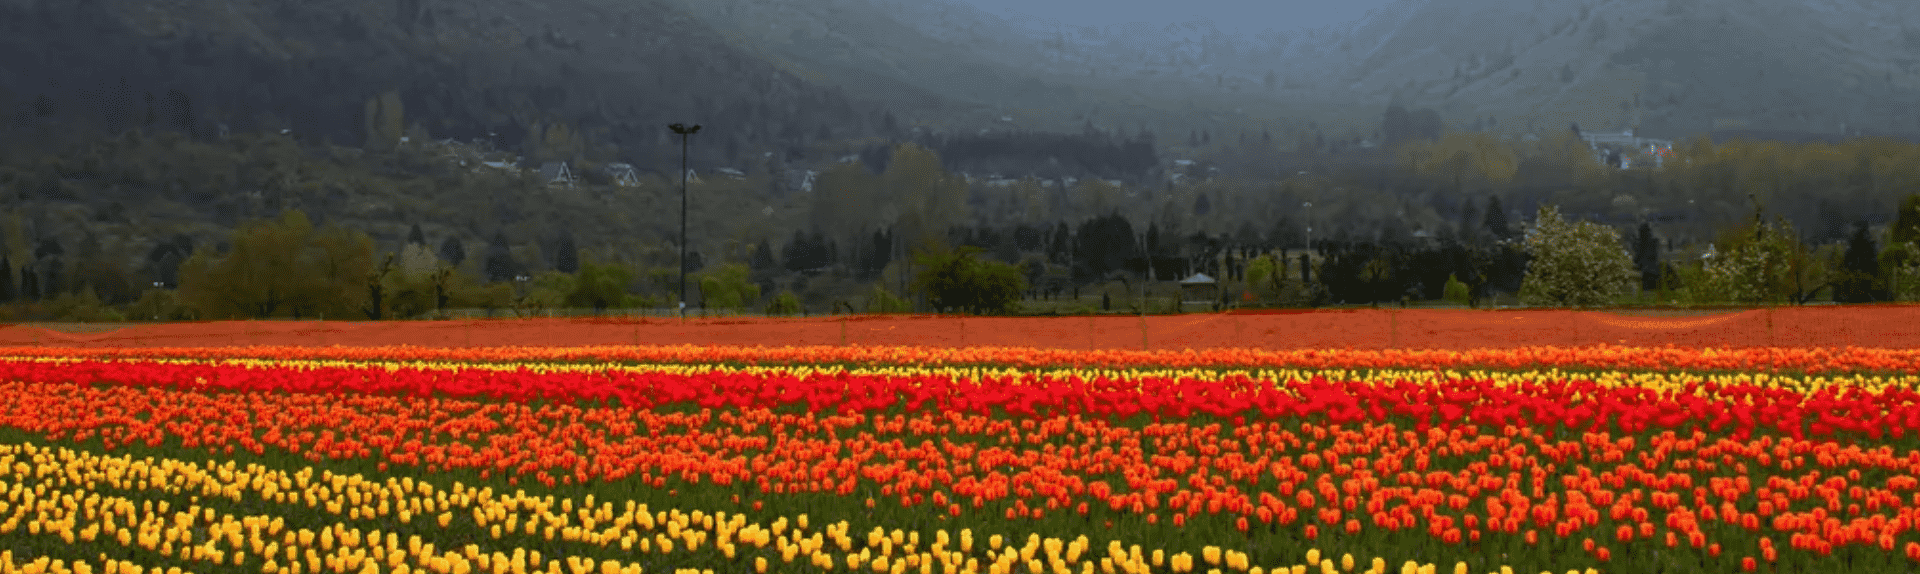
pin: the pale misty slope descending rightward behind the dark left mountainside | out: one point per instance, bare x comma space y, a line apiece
969, 70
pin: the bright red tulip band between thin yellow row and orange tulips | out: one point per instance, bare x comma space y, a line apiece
1426, 398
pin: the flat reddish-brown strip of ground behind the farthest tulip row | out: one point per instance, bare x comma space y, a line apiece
1364, 329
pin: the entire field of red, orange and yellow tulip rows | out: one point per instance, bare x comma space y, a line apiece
629, 460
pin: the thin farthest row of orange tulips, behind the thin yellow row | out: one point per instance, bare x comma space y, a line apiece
1616, 358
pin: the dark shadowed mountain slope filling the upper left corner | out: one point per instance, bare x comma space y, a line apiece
613, 70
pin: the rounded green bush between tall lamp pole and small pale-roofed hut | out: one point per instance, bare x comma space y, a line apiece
957, 281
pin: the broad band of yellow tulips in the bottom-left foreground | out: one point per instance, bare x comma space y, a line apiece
59, 494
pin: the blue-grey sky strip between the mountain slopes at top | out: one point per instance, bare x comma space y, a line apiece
1232, 16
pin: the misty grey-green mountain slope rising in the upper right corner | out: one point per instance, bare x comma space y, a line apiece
1681, 66
